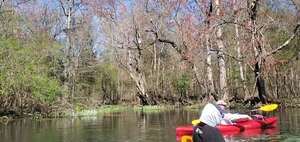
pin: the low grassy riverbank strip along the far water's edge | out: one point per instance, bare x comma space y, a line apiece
85, 112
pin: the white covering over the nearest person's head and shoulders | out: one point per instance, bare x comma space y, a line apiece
210, 115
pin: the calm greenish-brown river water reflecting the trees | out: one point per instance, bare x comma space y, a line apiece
134, 126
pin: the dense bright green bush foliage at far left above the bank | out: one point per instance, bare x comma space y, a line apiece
25, 69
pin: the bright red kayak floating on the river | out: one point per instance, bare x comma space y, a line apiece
240, 126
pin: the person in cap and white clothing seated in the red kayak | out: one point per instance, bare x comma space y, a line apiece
230, 118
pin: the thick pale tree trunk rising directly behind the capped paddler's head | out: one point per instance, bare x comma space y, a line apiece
221, 56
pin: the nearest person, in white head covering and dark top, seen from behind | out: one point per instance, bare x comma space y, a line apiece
205, 130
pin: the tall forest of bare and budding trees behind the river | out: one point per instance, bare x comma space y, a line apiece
69, 54
